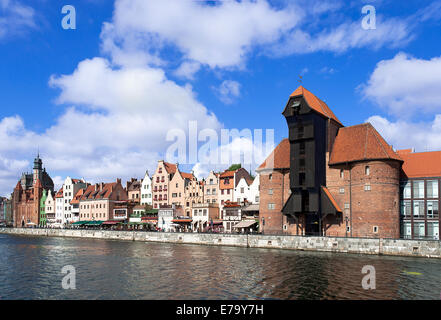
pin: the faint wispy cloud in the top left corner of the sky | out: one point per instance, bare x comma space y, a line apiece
15, 17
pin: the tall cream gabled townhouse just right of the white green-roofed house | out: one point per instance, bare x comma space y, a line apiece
160, 183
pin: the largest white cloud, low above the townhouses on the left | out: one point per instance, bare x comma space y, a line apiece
117, 128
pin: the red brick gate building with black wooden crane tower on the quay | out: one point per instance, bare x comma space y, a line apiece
331, 180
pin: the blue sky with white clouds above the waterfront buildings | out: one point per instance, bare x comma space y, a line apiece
98, 101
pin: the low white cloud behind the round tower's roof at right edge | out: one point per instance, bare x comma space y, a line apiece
402, 134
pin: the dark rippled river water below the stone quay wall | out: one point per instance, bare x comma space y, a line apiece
30, 268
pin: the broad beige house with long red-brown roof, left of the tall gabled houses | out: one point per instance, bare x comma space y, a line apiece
99, 201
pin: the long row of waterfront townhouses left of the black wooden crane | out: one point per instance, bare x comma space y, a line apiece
78, 201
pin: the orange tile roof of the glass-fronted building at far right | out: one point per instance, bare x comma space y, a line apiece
421, 164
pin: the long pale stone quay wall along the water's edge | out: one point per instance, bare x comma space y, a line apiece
393, 247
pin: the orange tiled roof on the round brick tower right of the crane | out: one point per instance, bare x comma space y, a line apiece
359, 143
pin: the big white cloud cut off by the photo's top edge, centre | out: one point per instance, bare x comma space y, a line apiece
218, 35
